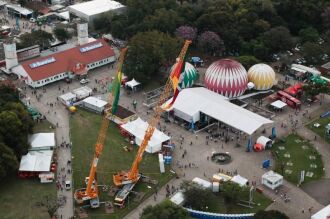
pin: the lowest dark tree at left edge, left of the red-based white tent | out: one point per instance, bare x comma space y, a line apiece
8, 161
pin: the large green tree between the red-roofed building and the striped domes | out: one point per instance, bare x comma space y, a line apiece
149, 51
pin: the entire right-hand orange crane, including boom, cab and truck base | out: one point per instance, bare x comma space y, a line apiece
127, 180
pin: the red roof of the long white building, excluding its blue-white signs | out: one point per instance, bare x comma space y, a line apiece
63, 60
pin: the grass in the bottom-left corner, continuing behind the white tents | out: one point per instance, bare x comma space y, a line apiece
19, 197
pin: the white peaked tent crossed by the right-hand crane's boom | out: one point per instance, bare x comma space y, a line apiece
138, 128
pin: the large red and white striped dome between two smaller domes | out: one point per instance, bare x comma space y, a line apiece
226, 77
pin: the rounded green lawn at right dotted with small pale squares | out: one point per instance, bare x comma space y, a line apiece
300, 151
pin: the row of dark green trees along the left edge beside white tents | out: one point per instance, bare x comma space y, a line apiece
15, 125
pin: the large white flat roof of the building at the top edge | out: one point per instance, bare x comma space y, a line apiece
96, 7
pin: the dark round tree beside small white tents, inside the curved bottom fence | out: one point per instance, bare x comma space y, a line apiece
197, 198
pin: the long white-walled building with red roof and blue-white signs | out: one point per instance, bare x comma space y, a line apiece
66, 64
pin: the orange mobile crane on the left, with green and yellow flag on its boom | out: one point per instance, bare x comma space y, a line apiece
90, 193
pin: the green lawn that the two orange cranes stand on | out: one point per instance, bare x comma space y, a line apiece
84, 127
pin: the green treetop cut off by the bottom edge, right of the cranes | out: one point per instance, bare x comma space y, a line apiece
165, 210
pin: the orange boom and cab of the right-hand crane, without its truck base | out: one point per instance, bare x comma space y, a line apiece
132, 176
